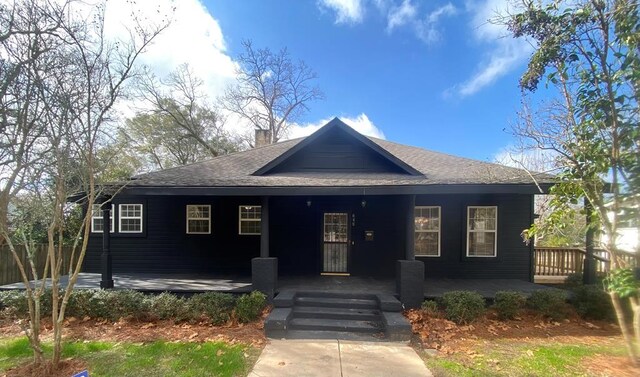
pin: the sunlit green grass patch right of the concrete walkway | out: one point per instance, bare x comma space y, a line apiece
513, 358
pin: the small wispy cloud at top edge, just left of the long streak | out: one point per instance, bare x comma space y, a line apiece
425, 28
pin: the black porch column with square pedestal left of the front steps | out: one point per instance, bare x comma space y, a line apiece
264, 269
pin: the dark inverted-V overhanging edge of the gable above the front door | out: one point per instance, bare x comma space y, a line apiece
332, 126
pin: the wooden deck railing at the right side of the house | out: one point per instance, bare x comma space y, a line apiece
562, 261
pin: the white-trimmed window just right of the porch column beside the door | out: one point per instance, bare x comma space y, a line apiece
427, 231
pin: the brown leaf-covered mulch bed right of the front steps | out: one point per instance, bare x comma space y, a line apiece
443, 335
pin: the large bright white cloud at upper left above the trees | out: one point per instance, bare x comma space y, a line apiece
193, 36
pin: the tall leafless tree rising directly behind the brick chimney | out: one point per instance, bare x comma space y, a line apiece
271, 91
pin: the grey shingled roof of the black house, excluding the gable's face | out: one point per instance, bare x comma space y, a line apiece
254, 169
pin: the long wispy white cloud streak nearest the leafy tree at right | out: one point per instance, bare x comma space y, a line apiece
504, 52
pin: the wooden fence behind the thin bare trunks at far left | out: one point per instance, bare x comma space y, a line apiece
9, 272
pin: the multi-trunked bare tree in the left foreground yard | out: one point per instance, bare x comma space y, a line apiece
57, 110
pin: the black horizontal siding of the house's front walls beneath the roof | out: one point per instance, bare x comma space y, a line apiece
296, 237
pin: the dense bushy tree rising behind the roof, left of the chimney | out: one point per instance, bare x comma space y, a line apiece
182, 126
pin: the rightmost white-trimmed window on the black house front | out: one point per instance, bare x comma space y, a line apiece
482, 231
